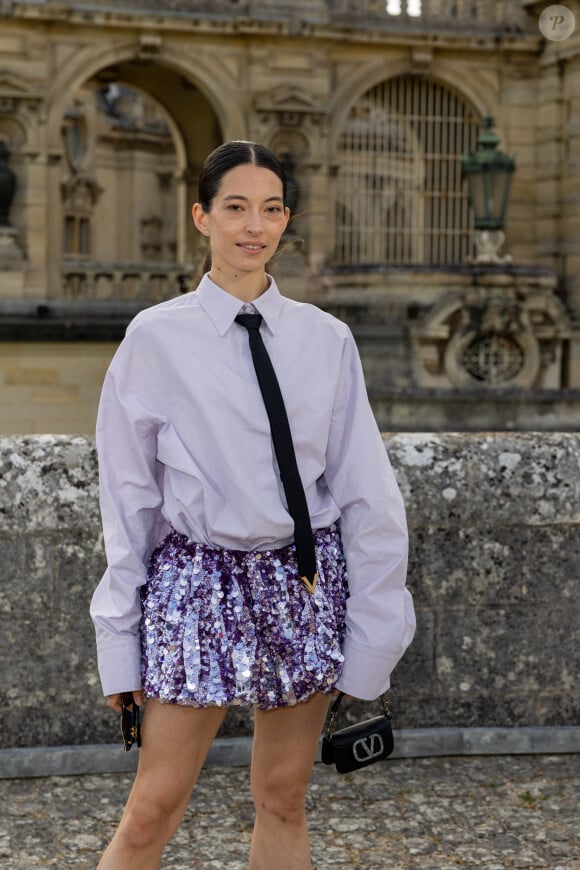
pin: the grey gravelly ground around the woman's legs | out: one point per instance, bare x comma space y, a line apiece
477, 812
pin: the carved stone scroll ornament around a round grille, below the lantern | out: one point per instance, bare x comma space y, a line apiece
490, 338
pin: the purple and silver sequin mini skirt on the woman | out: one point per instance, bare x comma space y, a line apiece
225, 627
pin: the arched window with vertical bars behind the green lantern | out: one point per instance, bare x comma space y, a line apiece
400, 198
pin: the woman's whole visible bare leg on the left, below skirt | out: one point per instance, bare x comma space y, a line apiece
176, 740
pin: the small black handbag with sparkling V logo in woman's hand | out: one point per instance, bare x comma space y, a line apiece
357, 745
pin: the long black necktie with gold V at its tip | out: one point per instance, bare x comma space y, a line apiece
284, 449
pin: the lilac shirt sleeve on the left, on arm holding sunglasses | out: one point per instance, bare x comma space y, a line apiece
130, 499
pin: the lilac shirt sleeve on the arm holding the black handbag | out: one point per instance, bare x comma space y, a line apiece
380, 614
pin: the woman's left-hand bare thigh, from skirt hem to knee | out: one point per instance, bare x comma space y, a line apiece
175, 742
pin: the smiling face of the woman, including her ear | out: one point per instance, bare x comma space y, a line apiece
246, 219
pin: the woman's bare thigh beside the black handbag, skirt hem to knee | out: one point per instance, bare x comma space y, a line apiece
285, 743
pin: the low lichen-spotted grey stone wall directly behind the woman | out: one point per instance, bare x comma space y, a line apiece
495, 571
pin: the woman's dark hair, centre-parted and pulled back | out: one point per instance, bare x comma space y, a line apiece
228, 156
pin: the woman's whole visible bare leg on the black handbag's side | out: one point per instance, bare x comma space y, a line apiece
285, 742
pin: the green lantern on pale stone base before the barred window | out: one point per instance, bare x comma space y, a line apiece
488, 173
